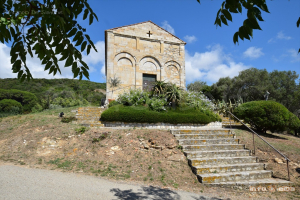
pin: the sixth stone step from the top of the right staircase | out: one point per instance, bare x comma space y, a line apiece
221, 160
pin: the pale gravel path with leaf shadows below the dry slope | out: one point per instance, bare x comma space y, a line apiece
26, 183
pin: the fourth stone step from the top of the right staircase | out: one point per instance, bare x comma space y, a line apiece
213, 147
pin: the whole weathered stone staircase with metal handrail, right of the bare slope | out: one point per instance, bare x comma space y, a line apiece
217, 158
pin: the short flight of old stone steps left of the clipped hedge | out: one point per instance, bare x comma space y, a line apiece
89, 116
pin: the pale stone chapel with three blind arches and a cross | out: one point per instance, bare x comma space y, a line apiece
140, 54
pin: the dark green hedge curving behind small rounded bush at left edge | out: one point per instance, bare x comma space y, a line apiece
27, 99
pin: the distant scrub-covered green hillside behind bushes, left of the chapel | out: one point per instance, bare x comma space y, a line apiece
49, 89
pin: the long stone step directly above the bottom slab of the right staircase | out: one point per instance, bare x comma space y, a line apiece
234, 176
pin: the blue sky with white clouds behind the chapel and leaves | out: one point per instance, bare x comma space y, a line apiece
210, 51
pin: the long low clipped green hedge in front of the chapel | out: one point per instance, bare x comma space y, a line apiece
142, 114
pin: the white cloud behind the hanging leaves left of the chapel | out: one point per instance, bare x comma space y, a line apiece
94, 60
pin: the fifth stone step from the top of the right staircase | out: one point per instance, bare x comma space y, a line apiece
217, 153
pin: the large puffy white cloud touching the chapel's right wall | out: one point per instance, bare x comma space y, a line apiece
211, 65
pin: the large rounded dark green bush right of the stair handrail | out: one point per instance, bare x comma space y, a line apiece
267, 115
